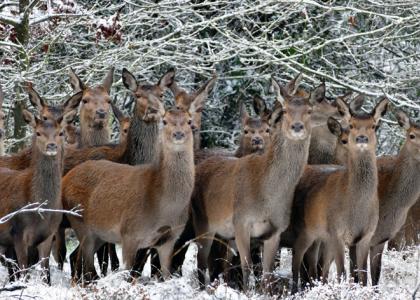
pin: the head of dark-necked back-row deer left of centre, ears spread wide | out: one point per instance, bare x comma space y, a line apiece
148, 97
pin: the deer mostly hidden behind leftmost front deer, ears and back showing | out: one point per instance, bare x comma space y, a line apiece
22, 160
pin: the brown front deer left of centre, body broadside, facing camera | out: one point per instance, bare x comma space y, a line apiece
153, 199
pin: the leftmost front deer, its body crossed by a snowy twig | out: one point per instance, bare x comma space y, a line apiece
39, 183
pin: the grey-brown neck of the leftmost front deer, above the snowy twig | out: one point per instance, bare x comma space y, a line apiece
46, 177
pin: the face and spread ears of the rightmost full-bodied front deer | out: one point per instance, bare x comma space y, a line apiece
362, 127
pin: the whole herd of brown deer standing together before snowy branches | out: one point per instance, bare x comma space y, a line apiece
305, 176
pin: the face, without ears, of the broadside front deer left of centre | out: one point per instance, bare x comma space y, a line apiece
177, 129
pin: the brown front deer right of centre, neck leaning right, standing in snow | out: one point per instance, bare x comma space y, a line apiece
251, 197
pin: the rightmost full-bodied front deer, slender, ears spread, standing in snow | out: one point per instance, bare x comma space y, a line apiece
349, 214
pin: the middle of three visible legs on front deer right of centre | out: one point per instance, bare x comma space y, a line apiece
243, 240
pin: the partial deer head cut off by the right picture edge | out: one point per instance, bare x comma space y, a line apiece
412, 142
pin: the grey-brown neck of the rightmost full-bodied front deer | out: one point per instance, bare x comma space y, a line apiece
362, 174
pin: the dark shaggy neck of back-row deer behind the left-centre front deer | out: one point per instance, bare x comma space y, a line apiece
142, 142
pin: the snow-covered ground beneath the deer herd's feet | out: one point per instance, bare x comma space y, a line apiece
400, 277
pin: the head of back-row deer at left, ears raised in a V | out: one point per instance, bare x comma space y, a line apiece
96, 101
